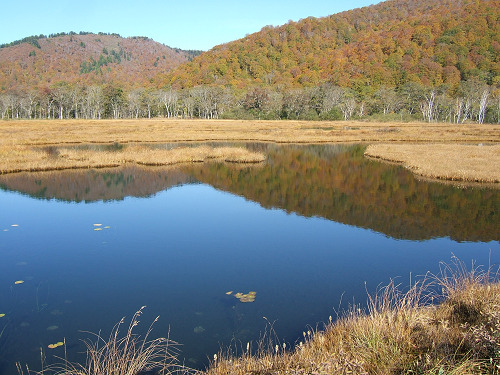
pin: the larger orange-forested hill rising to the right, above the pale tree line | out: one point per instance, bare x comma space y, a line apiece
430, 42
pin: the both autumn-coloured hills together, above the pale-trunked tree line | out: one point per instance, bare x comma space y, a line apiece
430, 42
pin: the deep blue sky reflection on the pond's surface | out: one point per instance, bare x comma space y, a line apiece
178, 252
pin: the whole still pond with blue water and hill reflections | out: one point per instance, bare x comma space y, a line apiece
311, 231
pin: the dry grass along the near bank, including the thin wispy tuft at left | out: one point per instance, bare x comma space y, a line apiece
400, 333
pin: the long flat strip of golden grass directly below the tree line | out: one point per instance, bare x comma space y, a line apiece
51, 132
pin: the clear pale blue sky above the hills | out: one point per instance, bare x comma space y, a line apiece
194, 24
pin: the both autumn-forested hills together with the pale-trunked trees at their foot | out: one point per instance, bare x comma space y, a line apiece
404, 60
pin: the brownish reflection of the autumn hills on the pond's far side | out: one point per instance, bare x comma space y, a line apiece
333, 182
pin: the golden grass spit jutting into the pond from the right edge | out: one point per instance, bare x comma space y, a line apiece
444, 161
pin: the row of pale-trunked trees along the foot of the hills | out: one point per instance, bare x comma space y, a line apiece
470, 101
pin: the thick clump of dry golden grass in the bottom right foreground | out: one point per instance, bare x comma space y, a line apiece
401, 334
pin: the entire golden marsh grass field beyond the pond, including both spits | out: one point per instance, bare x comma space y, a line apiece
34, 145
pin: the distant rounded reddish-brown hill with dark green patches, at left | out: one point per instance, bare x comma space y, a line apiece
86, 58
